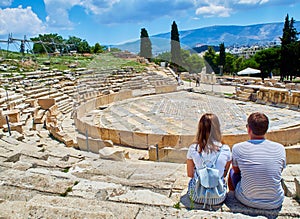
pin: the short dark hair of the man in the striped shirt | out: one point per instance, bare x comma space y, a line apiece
258, 123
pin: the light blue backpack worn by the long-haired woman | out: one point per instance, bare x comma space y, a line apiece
207, 187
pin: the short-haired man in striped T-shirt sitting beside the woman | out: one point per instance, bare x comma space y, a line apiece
257, 165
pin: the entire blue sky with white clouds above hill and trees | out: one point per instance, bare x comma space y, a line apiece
111, 22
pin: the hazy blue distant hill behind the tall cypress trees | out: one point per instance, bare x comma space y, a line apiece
231, 35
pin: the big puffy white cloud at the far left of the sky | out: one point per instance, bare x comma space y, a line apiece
20, 21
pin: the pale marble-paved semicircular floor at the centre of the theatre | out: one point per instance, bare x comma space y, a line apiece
179, 112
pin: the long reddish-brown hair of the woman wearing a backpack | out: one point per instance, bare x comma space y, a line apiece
209, 133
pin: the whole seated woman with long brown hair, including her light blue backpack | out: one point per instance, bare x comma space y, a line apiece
207, 157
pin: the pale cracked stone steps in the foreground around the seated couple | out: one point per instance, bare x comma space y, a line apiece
53, 181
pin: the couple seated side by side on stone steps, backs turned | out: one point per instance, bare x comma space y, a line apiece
256, 165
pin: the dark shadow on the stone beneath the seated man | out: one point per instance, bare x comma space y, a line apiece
237, 207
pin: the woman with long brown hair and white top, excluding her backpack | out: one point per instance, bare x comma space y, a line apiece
207, 150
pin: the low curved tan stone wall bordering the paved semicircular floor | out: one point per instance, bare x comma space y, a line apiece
141, 140
